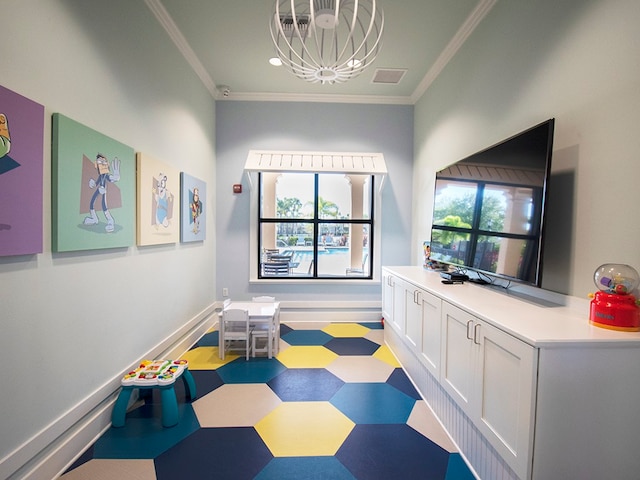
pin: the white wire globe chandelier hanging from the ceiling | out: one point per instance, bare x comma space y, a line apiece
327, 41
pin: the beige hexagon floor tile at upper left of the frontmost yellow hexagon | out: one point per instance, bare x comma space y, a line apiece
235, 405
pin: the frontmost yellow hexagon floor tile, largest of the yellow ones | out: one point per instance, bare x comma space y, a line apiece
304, 429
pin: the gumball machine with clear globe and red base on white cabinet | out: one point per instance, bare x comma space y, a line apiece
613, 306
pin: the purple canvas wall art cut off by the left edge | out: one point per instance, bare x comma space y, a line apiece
21, 167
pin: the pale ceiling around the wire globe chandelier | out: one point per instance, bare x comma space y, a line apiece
227, 42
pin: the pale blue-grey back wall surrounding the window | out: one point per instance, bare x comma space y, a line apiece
241, 126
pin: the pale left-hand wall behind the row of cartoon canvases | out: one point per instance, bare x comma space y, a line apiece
72, 323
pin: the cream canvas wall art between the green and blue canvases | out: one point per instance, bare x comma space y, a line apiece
158, 195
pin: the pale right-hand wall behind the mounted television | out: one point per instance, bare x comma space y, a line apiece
576, 61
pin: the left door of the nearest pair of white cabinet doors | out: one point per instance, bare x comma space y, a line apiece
457, 362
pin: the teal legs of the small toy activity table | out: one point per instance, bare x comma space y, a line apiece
167, 395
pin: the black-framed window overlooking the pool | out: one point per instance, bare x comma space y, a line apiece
315, 225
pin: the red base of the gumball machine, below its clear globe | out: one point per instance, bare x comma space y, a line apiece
615, 312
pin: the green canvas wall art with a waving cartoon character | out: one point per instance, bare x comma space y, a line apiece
93, 189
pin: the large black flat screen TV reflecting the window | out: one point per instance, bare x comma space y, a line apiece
489, 208
